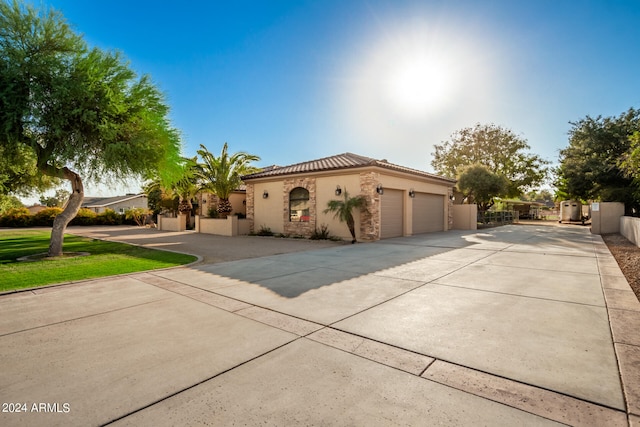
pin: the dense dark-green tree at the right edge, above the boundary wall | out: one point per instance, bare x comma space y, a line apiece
599, 162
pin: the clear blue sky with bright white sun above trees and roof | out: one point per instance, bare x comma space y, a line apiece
293, 81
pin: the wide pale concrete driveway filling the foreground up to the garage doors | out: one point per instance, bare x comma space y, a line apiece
517, 325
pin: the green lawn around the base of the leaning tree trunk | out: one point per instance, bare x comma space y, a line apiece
105, 259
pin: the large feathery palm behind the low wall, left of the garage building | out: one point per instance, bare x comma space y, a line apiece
221, 175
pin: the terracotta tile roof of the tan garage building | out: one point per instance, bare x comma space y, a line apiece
337, 162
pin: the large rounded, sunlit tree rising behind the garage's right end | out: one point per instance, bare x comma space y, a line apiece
497, 148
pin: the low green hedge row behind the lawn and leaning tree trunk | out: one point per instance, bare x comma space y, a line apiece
21, 217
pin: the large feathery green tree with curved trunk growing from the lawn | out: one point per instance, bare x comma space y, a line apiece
74, 112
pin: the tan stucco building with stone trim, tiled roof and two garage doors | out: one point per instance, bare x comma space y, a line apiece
400, 201
